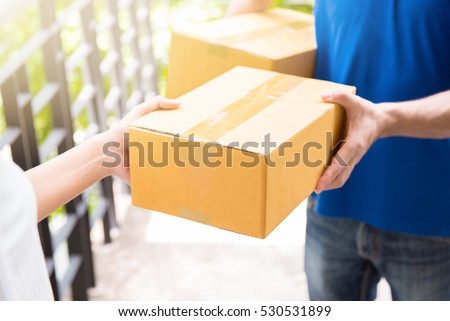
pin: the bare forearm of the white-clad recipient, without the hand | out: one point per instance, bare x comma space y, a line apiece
63, 178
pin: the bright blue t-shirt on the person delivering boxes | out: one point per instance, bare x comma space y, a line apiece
391, 50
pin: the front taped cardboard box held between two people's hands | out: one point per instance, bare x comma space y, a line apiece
210, 160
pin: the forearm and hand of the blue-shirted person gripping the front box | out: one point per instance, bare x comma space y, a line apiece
366, 122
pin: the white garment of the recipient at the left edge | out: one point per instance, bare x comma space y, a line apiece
23, 274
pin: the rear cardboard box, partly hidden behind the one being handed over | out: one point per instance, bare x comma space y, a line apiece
281, 40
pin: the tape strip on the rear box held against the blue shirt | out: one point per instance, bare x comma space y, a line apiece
218, 46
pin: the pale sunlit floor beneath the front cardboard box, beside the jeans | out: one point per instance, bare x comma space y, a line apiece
159, 257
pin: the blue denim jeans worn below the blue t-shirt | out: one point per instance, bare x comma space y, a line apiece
345, 259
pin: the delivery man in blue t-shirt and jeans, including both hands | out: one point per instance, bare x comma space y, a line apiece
383, 206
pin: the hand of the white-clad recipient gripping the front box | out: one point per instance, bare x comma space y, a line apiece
118, 135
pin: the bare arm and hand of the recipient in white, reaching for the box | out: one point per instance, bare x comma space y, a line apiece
63, 178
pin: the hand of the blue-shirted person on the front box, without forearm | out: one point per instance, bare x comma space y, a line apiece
365, 124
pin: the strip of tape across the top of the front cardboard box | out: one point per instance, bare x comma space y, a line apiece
256, 100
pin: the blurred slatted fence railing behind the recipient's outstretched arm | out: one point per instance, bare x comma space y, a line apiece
111, 78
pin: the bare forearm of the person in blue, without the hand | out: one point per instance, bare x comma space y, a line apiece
423, 118
